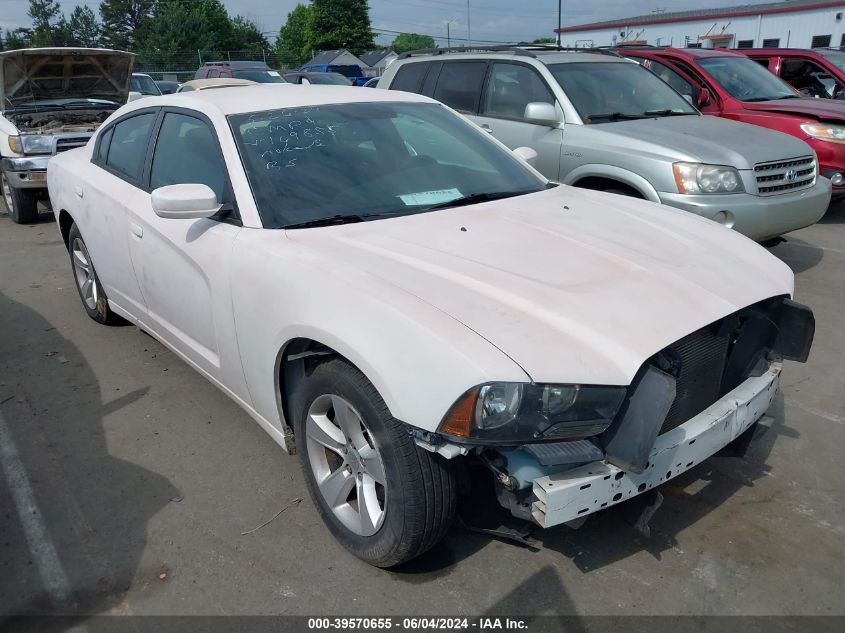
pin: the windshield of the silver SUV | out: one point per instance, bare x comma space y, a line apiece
603, 92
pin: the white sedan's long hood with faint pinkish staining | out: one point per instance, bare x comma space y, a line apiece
573, 285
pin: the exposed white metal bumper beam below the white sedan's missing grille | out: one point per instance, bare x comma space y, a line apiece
576, 493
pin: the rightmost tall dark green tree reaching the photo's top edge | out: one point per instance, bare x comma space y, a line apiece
340, 24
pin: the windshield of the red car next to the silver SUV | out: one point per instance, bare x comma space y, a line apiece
745, 79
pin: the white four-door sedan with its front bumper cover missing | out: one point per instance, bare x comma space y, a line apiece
435, 302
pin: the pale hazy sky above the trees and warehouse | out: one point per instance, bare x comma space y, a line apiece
490, 20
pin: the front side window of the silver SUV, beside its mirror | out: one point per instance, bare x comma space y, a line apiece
511, 88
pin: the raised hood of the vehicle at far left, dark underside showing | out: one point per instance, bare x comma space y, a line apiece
37, 74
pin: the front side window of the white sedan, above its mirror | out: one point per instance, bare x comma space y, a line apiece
187, 152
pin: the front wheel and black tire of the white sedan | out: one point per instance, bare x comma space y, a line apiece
385, 499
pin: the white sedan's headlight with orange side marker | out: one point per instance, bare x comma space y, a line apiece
514, 413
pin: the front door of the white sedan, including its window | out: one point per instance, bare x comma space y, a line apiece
183, 266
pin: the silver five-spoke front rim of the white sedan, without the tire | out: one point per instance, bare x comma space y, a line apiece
346, 464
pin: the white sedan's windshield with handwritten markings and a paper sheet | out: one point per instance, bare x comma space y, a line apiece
349, 162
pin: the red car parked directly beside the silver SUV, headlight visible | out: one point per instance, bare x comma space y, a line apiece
731, 86
